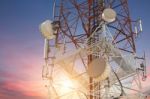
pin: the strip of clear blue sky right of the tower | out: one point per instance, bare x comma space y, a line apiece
139, 9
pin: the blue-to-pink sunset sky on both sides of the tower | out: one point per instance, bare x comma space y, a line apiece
21, 45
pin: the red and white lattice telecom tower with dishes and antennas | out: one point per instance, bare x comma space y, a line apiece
90, 51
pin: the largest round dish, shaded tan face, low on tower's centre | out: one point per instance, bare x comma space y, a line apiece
98, 69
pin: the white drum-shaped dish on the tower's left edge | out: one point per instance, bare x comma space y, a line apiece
46, 29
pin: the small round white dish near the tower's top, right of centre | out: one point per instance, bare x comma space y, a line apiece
109, 15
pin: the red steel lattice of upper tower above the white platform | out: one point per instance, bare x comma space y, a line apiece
79, 18
